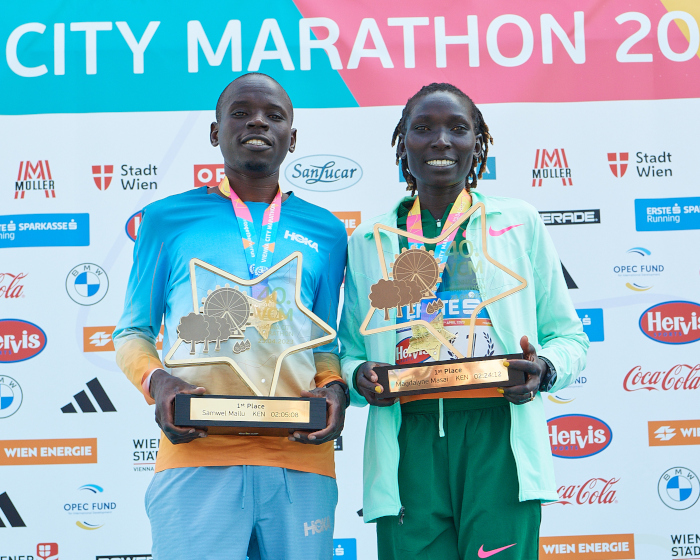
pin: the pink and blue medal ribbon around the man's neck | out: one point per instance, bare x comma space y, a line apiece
258, 259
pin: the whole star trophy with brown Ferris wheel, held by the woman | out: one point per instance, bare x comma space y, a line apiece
437, 319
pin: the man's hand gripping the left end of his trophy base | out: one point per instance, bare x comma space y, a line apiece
164, 387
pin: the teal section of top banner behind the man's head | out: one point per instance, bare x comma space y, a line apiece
166, 84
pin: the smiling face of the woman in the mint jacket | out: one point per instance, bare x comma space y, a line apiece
440, 140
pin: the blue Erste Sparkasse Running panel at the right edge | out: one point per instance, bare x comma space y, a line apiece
667, 214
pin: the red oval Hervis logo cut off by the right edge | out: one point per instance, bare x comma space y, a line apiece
672, 322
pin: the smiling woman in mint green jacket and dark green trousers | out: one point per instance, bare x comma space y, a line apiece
461, 474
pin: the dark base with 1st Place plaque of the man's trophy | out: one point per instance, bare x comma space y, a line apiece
250, 416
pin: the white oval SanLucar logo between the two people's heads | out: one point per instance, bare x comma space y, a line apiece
324, 173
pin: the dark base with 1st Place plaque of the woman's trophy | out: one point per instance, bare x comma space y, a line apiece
448, 375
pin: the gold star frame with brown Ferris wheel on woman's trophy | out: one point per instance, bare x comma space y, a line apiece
415, 273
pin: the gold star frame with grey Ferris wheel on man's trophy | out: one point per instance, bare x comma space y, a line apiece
232, 312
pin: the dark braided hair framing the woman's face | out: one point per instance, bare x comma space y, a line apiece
479, 125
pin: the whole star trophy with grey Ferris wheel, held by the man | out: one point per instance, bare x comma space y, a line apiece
243, 341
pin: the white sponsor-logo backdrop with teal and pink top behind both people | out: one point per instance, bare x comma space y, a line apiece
593, 106
